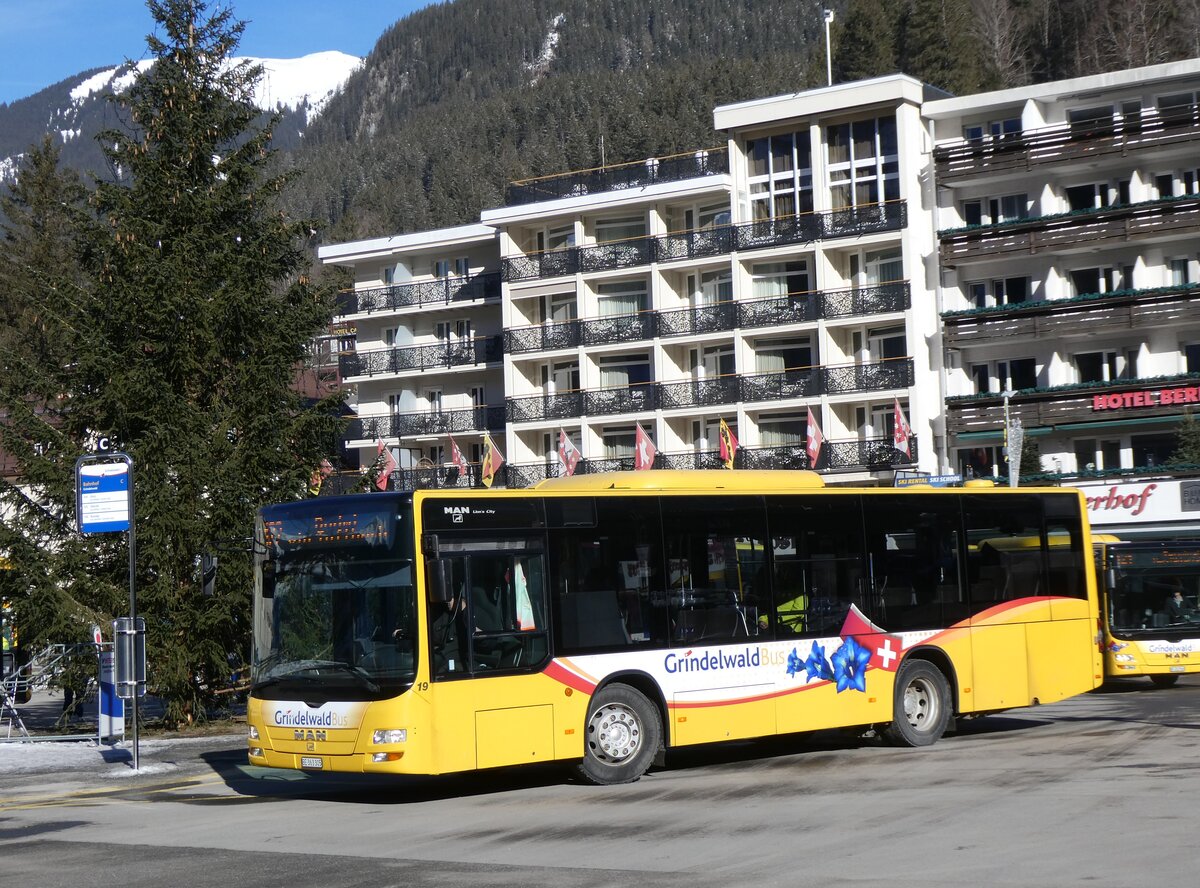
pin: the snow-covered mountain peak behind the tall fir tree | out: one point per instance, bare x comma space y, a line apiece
75, 110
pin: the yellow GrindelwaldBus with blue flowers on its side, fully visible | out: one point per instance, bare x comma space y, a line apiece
603, 620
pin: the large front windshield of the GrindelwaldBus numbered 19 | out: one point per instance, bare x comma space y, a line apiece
337, 601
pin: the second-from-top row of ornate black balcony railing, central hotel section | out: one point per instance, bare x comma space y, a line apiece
718, 317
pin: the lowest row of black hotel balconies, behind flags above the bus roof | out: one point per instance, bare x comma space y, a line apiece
862, 455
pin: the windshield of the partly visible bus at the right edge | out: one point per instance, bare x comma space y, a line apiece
1154, 587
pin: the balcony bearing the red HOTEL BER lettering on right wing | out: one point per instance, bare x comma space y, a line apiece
1043, 409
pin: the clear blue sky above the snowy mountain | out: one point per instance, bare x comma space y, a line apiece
45, 41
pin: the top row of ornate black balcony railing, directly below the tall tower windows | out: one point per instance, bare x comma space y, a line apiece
853, 221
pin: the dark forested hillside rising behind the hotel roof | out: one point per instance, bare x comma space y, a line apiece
463, 98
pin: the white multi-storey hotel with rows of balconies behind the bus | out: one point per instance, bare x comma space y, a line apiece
850, 248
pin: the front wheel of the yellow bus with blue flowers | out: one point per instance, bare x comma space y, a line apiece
621, 736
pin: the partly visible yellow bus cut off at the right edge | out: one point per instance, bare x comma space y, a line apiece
1150, 601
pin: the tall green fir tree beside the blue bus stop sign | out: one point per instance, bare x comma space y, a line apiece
189, 335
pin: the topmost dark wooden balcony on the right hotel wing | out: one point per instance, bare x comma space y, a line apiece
1064, 145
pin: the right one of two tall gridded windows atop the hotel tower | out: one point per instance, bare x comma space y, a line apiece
865, 163
